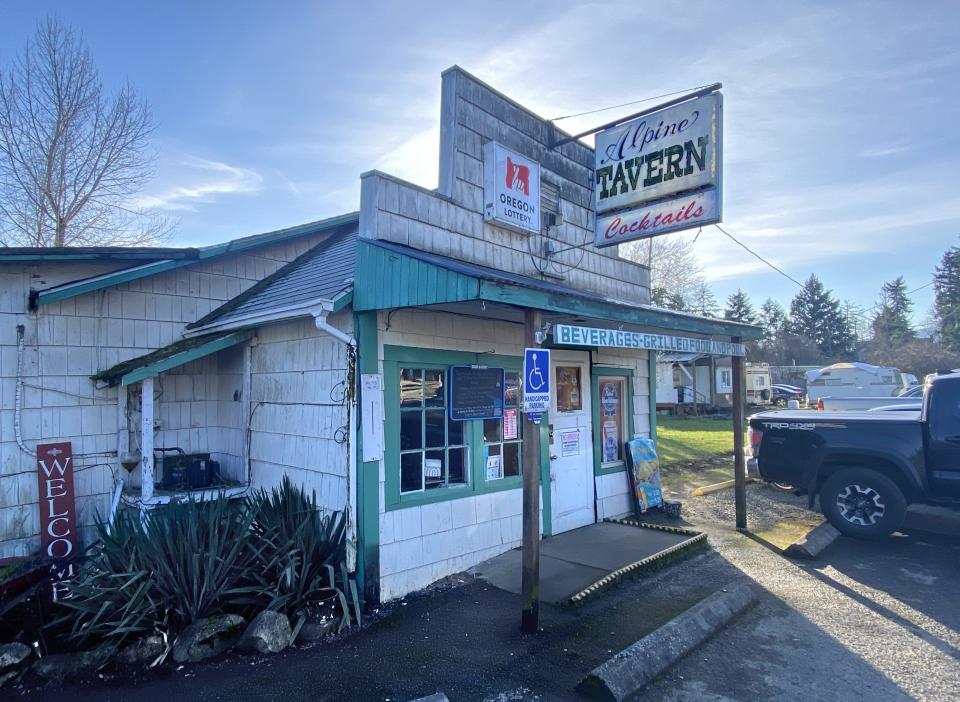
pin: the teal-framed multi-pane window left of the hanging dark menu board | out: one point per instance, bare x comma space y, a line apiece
434, 451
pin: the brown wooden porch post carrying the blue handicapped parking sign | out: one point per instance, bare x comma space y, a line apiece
530, 583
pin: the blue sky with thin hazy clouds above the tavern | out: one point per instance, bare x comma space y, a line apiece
840, 141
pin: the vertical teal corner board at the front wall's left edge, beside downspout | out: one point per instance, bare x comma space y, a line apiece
368, 472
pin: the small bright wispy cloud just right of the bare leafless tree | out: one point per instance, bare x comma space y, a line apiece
204, 180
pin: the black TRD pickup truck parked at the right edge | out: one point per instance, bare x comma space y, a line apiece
866, 466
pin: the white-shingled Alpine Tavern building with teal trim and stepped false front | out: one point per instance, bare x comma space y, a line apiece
329, 352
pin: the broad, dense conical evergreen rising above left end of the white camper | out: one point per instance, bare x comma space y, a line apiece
816, 315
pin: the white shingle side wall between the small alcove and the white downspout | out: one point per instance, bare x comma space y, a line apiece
299, 419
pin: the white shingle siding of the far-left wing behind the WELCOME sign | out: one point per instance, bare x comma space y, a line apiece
68, 341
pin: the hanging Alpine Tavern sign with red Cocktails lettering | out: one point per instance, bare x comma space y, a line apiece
660, 172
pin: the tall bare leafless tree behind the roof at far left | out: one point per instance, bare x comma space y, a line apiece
71, 157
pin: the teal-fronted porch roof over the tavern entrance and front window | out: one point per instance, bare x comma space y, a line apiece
391, 275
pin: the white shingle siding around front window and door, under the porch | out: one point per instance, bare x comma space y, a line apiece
421, 544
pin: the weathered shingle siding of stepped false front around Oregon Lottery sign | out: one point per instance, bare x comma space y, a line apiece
450, 221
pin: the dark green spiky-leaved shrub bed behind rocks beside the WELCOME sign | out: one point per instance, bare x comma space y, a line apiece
195, 559
